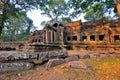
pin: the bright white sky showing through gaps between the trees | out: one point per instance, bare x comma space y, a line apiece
38, 18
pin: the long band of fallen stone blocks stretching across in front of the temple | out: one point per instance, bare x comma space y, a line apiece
23, 61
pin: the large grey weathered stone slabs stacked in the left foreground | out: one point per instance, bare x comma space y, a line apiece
23, 61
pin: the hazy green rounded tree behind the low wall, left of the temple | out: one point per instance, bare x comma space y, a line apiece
17, 28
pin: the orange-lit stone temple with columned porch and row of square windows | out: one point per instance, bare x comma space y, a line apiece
77, 35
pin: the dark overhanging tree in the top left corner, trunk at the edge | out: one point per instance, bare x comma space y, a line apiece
13, 6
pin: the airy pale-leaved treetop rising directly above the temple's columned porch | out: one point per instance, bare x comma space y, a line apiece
56, 10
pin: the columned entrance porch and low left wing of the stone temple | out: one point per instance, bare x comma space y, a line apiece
51, 34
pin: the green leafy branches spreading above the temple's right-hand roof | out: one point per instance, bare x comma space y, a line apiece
92, 8
